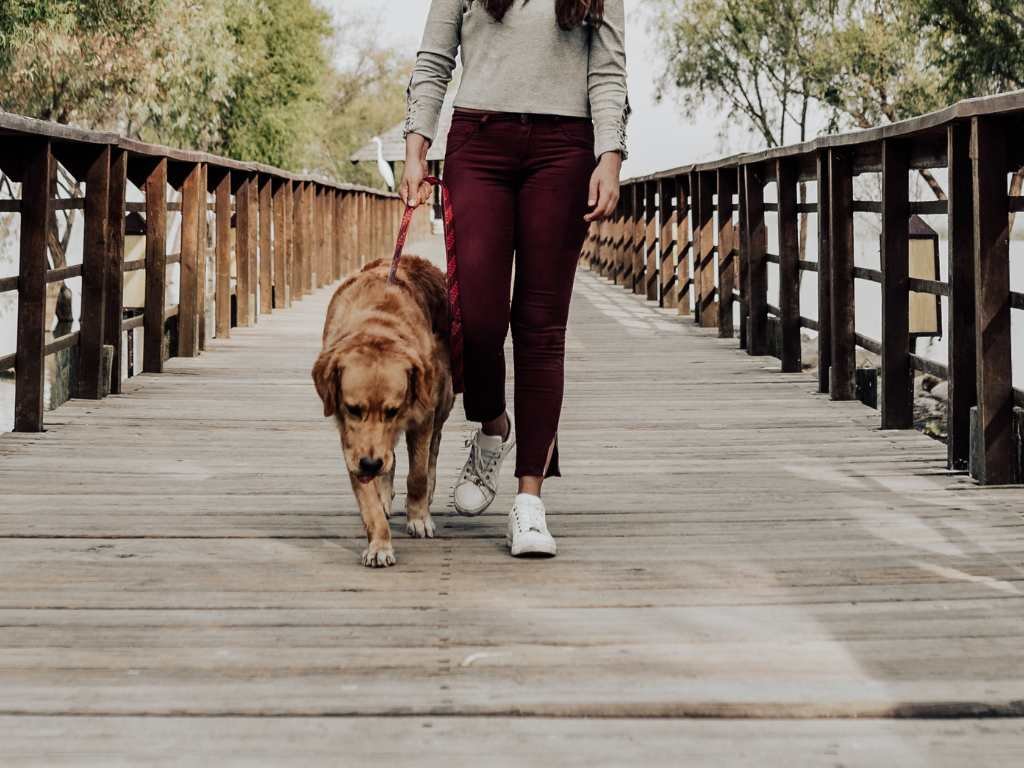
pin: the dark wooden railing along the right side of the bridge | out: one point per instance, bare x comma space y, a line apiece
696, 238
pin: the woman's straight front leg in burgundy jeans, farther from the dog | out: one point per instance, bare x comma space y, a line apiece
550, 232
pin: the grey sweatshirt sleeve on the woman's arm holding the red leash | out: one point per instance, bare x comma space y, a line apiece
433, 72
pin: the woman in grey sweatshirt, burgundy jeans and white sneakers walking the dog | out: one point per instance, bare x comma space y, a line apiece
534, 155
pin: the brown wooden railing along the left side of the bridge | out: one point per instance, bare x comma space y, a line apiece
293, 234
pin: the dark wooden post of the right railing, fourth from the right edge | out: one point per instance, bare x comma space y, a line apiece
844, 351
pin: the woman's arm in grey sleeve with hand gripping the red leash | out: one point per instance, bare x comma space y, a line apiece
425, 96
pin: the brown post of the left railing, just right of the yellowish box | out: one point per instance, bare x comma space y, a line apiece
156, 268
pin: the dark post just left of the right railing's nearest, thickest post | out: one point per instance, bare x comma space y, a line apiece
961, 348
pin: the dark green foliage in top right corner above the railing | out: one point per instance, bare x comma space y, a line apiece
977, 46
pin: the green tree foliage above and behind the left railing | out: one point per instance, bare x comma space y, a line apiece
251, 79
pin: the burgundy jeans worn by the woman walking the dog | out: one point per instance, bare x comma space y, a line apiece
519, 186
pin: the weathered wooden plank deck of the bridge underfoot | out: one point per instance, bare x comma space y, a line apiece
748, 575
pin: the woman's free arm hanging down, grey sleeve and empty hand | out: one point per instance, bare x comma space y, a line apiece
610, 108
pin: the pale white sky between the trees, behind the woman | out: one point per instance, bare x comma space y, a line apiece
660, 137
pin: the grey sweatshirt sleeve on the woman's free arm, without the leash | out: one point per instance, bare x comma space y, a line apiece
610, 103
